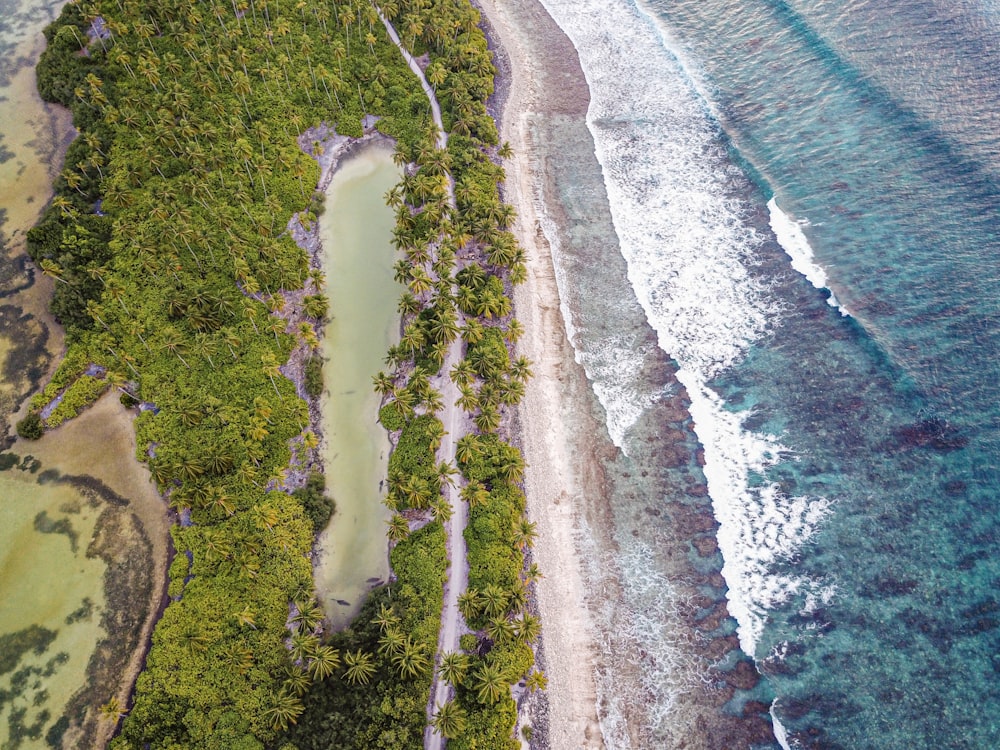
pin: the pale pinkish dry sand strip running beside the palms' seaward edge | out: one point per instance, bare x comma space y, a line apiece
565, 715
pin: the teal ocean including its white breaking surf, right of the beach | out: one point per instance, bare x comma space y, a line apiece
806, 195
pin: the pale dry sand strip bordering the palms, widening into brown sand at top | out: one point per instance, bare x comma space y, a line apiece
555, 482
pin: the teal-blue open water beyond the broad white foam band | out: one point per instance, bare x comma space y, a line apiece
877, 123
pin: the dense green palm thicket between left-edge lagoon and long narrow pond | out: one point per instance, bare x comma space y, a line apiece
187, 121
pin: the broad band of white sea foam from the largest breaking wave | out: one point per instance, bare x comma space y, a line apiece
689, 251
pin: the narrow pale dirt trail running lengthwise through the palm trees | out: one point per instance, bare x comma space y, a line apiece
455, 425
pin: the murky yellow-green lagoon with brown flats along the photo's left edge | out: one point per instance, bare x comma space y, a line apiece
82, 532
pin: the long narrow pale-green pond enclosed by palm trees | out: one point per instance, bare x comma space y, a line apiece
356, 230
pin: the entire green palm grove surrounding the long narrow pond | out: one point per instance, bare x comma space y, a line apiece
175, 274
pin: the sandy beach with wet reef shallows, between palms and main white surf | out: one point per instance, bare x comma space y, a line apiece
632, 646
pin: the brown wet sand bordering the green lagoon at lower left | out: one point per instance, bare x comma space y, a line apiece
93, 457
